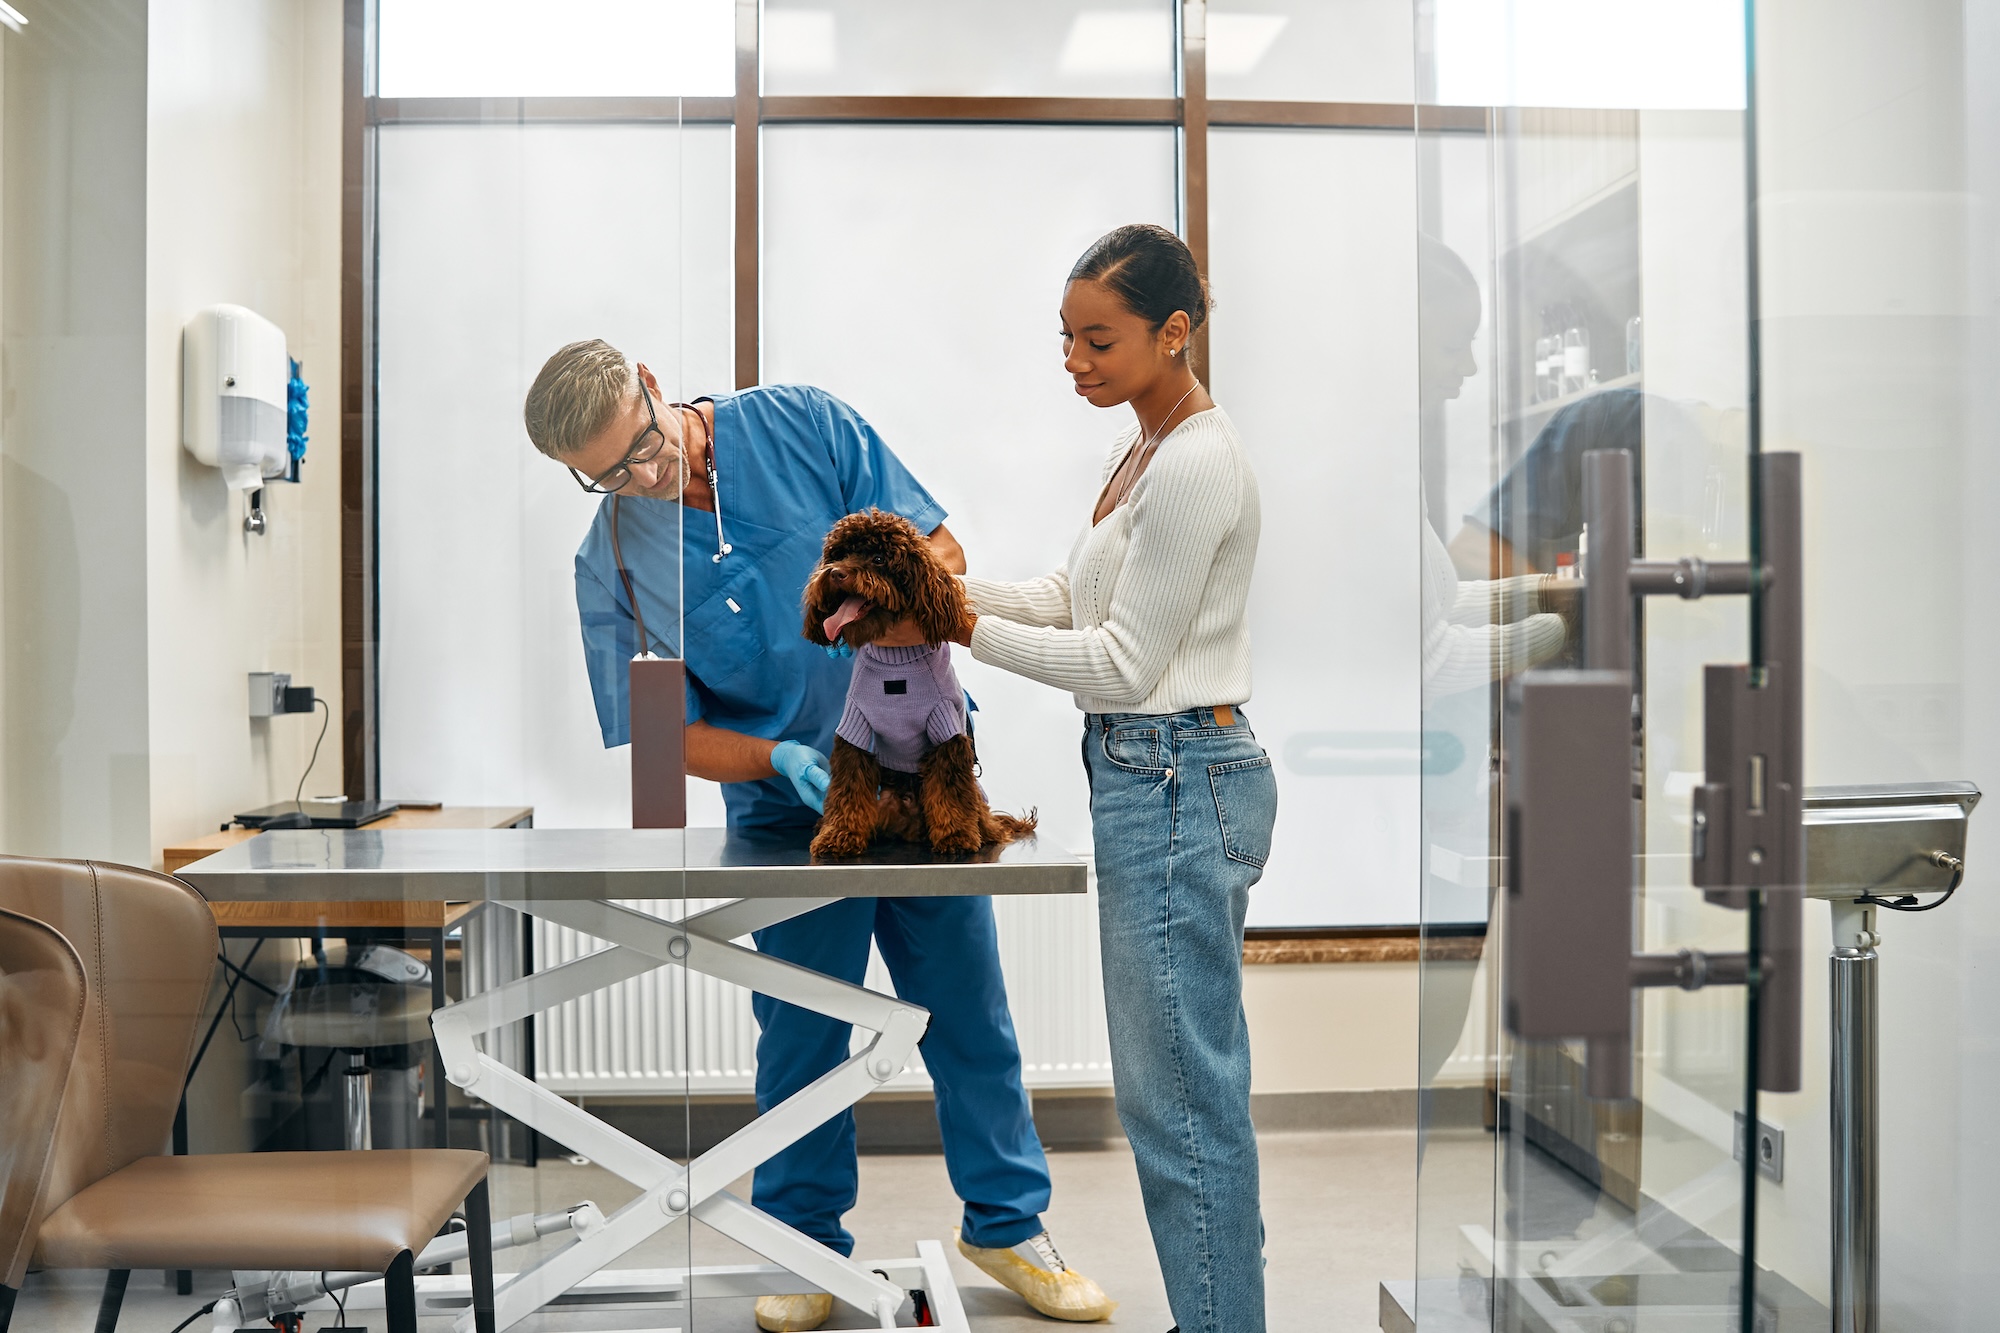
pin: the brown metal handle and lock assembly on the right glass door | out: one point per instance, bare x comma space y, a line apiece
1571, 802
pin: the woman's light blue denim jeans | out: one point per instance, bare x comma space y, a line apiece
1183, 812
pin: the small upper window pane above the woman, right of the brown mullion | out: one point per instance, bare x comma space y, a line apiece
1309, 51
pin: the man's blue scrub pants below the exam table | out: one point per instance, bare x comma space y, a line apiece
945, 956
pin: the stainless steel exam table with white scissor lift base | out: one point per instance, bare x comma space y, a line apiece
583, 880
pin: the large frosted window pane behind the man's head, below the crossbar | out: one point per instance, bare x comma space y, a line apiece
497, 249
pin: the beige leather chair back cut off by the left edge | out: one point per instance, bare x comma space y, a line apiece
41, 1014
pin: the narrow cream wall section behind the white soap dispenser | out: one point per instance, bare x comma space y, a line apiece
243, 205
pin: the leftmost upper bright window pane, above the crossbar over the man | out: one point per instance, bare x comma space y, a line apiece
469, 49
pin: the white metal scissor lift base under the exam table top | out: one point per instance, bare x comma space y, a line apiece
577, 1272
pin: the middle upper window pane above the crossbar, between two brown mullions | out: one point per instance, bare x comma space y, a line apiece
969, 49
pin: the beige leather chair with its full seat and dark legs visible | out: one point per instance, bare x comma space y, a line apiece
111, 1202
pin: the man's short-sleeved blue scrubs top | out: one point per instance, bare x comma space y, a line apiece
791, 461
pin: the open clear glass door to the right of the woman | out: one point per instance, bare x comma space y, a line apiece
1589, 1026
